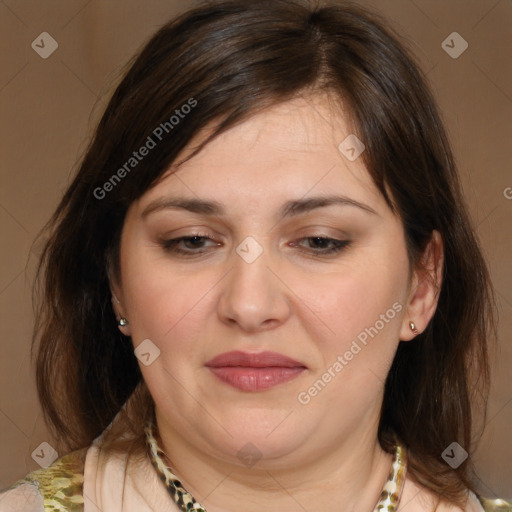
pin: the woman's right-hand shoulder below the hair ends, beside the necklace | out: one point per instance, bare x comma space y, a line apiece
416, 498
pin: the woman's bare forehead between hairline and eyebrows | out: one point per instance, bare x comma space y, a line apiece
285, 152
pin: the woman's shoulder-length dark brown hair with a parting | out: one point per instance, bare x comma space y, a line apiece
233, 59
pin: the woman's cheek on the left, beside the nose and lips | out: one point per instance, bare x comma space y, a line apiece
172, 311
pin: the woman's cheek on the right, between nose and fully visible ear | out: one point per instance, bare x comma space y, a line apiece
361, 309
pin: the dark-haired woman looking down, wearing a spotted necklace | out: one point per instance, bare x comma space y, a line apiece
262, 289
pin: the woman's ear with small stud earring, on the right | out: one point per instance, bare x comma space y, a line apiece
425, 288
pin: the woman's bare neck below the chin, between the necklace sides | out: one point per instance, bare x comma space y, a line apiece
348, 478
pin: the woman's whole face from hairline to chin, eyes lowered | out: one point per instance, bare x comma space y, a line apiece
297, 254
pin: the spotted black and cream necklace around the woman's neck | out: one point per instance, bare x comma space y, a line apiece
388, 501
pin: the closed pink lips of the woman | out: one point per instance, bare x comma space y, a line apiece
254, 372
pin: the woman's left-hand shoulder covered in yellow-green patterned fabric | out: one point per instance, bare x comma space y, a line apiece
57, 488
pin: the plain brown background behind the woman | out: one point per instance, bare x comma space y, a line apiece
46, 107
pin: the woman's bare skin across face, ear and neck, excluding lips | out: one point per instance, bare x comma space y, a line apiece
291, 299
